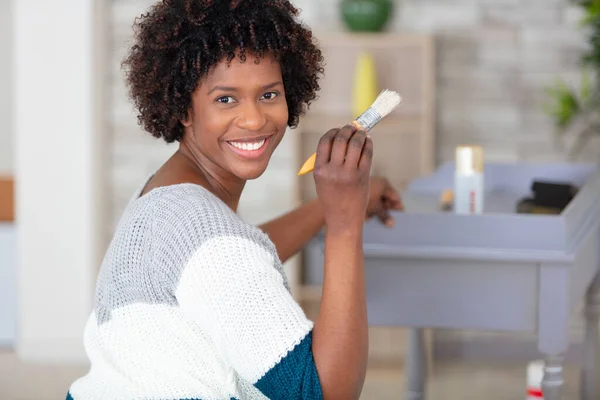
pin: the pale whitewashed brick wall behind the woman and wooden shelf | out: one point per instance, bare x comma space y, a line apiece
493, 60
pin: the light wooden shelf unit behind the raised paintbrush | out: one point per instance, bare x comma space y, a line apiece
404, 141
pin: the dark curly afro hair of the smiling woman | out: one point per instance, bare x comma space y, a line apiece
178, 42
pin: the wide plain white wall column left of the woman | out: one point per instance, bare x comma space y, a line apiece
59, 184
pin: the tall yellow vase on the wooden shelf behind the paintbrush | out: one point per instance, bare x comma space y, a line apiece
365, 89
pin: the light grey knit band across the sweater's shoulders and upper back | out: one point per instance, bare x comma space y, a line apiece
156, 236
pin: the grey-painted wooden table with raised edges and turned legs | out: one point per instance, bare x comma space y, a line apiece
498, 271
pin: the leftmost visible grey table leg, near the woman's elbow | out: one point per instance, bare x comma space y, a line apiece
416, 366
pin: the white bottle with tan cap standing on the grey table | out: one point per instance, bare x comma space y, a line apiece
468, 180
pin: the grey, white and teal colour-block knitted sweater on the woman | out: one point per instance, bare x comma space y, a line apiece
192, 303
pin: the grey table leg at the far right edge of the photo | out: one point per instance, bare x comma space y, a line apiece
590, 383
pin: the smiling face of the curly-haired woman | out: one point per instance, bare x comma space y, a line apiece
238, 116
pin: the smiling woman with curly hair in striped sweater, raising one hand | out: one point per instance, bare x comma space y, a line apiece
191, 302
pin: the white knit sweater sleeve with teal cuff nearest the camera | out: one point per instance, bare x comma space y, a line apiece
231, 288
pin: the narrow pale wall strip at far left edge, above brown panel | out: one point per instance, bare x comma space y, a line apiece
6, 141
